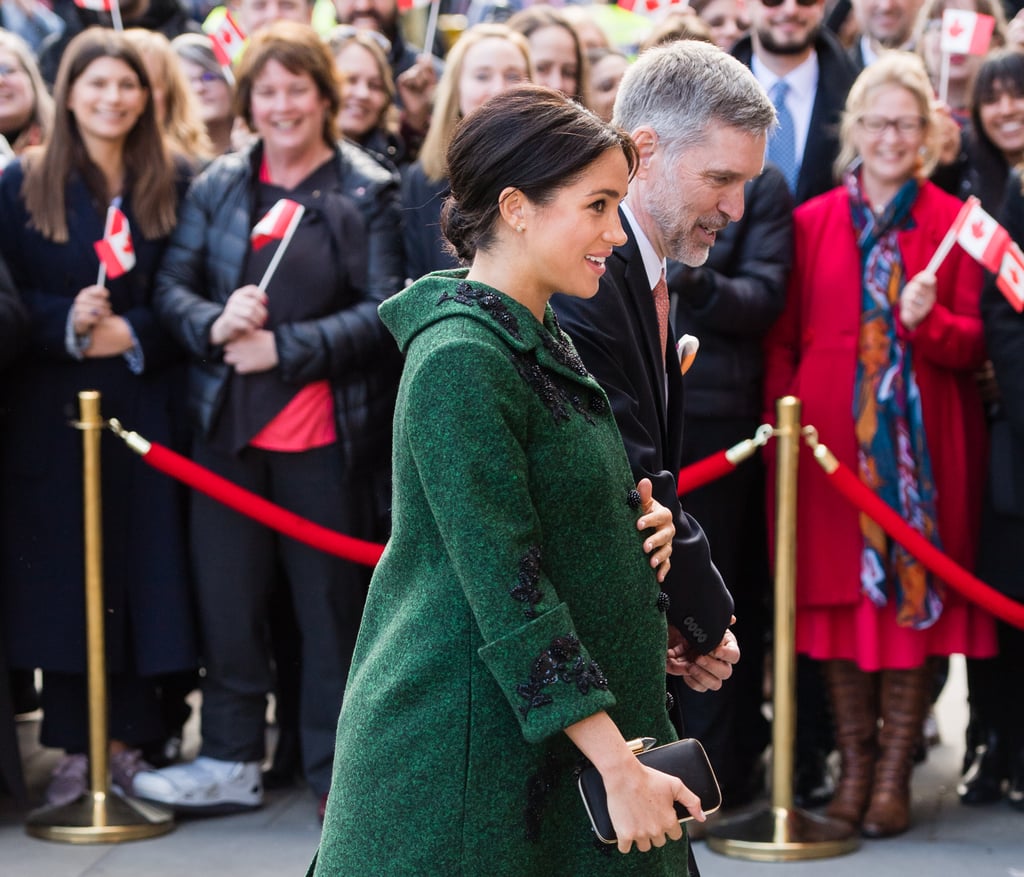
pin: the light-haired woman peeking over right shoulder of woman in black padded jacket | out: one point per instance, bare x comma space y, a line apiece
368, 115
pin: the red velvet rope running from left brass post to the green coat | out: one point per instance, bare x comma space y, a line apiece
261, 510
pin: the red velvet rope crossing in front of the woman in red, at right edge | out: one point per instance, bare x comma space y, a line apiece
847, 483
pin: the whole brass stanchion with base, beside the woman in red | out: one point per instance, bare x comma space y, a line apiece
784, 833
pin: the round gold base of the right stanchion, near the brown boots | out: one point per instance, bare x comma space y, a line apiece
783, 836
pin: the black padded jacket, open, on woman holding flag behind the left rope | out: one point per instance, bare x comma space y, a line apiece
203, 267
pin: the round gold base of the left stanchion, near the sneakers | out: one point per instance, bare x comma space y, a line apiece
100, 818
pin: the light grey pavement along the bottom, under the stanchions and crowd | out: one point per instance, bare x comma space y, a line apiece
947, 840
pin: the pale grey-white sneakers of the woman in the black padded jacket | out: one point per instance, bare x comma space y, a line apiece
204, 786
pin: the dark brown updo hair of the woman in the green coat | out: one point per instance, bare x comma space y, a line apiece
531, 139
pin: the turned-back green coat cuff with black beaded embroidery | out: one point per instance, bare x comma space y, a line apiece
547, 676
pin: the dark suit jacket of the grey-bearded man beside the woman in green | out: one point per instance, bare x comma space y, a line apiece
617, 336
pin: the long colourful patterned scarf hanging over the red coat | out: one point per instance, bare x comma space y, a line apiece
892, 448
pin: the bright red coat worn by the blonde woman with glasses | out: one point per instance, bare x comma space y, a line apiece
813, 354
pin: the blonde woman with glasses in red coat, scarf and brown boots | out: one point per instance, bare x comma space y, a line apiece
883, 356
